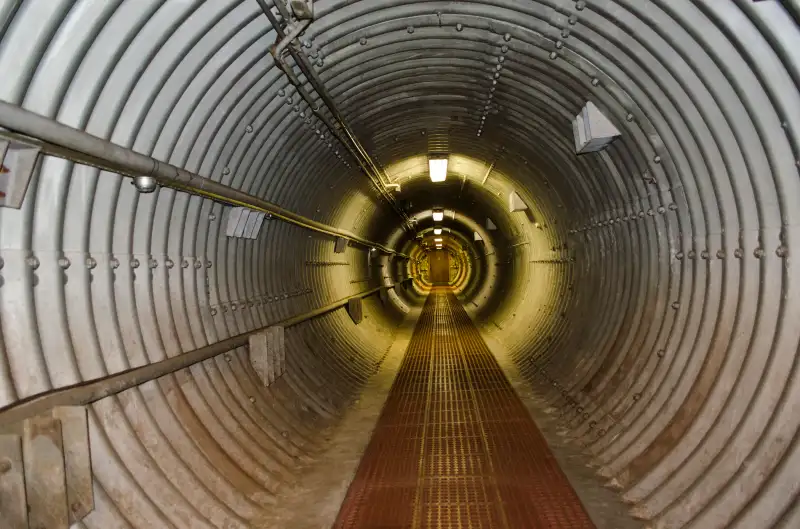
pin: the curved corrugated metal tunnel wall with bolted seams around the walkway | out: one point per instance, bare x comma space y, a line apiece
645, 290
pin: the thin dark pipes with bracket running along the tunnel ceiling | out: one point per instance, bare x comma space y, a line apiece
341, 130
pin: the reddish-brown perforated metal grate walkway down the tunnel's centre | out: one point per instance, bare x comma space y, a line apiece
454, 446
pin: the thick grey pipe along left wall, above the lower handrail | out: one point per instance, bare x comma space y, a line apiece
63, 141
